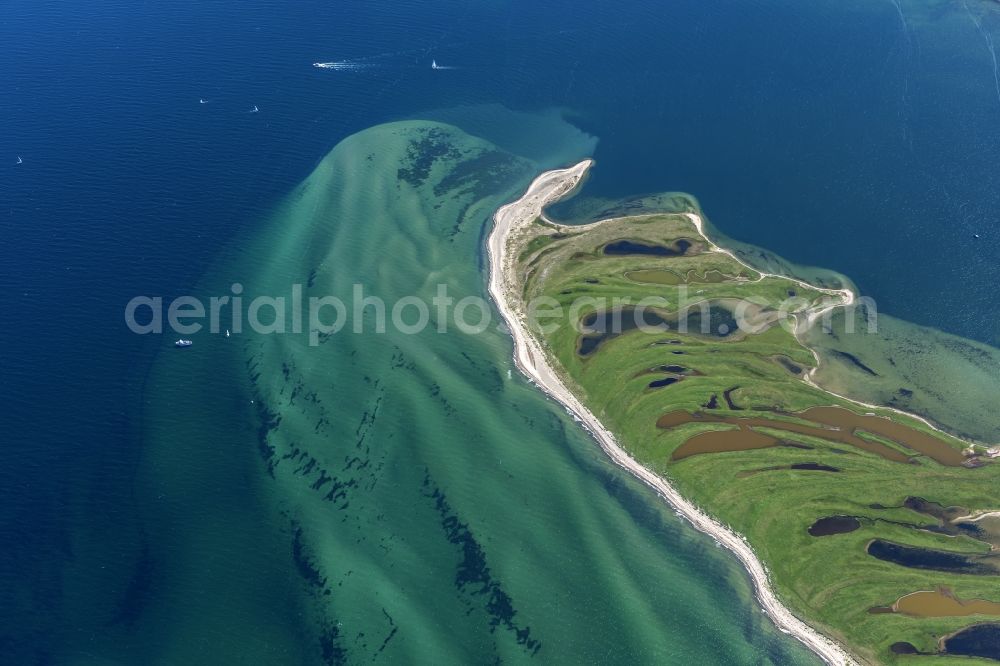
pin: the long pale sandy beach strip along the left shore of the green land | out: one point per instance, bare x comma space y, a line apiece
531, 360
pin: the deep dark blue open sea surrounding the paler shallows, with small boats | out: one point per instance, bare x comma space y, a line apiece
861, 136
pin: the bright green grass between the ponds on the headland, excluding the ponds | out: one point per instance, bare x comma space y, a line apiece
830, 581
